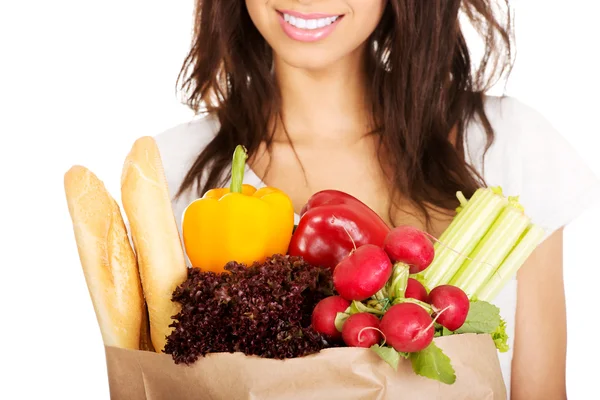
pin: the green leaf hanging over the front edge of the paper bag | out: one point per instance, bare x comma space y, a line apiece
432, 363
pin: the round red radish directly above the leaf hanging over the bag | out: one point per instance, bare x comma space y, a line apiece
407, 327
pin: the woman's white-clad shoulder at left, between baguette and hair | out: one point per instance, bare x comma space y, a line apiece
180, 145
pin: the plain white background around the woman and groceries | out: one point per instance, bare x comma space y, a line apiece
80, 81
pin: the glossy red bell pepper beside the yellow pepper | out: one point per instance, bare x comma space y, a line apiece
331, 224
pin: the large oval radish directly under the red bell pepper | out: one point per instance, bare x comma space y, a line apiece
362, 273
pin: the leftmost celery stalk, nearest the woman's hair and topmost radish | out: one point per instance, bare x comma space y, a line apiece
461, 239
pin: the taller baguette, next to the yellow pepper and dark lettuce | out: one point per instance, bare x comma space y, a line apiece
154, 233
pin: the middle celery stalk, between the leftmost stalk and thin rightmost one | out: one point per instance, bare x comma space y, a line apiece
491, 251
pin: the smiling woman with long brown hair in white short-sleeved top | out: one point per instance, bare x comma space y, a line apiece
377, 98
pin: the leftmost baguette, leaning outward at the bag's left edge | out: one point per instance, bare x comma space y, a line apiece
107, 259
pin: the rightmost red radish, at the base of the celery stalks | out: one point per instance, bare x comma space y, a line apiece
451, 305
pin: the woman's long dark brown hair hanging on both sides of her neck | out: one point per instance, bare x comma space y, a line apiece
423, 86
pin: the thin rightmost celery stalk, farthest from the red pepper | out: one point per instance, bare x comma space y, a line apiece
516, 258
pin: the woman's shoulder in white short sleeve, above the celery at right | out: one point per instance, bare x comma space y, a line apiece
531, 159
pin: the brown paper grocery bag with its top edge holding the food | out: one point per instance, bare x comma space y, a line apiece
332, 374
